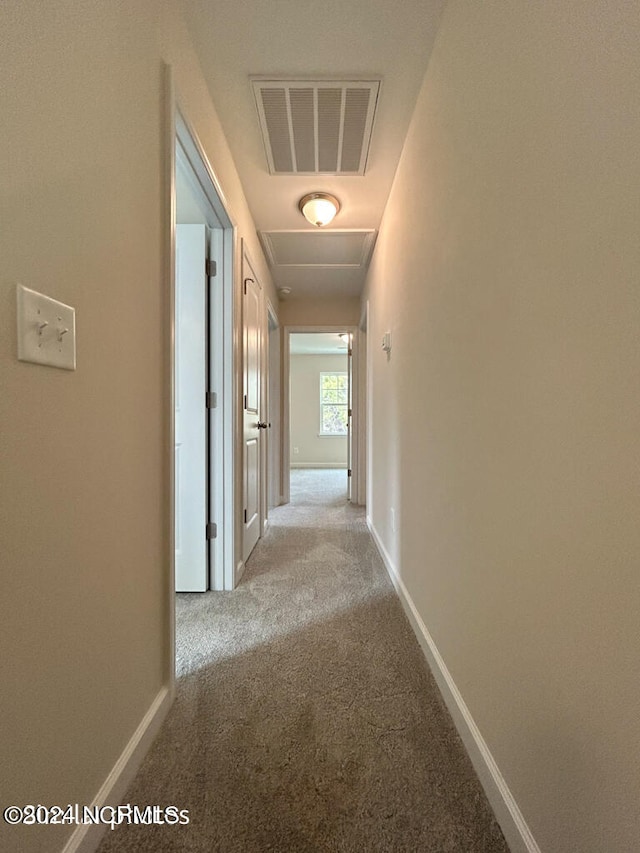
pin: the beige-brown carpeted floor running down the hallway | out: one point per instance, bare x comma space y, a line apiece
306, 719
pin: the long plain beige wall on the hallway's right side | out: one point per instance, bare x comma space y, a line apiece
505, 425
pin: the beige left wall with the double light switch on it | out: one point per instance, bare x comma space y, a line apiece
83, 456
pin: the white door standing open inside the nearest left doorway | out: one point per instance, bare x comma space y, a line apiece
190, 410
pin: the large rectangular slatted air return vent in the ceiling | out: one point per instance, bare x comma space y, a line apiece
316, 127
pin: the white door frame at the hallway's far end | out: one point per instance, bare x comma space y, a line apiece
286, 403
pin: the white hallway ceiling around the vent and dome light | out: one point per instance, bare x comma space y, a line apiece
294, 39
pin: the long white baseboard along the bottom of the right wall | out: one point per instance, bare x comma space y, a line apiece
507, 812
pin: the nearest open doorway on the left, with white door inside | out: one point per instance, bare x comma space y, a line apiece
202, 373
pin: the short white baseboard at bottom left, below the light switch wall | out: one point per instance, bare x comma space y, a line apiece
86, 838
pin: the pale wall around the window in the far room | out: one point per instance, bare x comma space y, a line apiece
304, 377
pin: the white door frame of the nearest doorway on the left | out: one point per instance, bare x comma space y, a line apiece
178, 128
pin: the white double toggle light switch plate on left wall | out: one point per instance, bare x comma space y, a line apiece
46, 330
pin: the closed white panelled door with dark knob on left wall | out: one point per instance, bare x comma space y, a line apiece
252, 386
